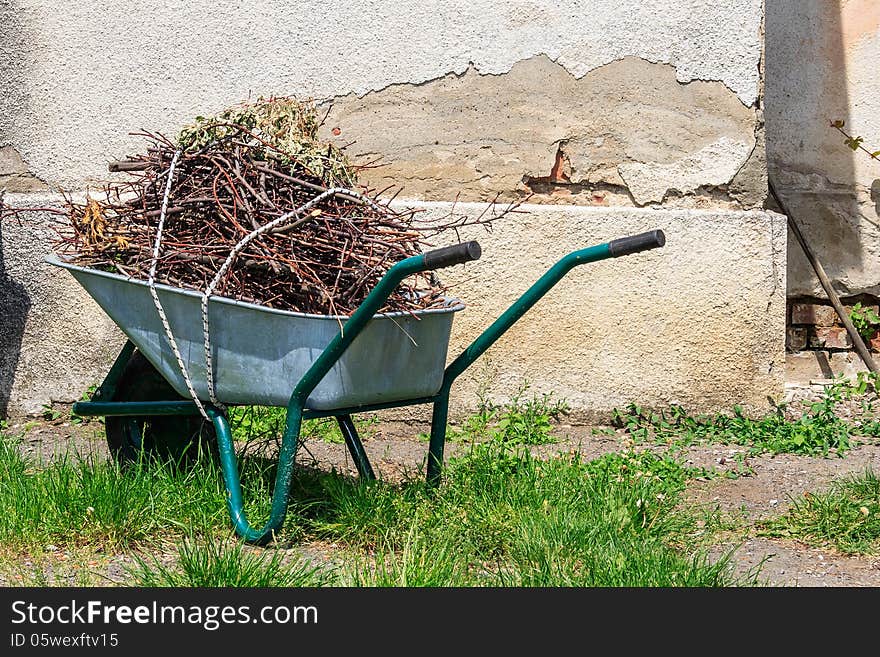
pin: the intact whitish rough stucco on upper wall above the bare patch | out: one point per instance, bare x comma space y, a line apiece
69, 106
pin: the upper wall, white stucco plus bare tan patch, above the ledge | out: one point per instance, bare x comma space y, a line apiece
78, 80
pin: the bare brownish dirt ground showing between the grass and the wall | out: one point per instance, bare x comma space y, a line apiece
764, 490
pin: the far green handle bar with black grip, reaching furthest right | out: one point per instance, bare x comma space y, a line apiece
619, 247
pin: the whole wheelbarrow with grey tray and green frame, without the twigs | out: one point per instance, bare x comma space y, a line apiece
317, 366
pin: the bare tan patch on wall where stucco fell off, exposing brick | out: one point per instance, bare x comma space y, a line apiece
625, 133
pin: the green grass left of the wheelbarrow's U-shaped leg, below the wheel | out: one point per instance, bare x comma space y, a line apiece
85, 501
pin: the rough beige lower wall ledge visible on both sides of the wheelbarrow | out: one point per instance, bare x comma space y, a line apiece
696, 322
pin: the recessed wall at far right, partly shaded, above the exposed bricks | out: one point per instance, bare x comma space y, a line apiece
821, 65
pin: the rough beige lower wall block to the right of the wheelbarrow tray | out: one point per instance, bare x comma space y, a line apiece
695, 322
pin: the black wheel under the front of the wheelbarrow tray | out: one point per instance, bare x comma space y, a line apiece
179, 439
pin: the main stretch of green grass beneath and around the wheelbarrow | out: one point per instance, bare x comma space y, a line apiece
501, 516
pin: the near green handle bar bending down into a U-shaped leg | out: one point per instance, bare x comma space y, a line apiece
445, 257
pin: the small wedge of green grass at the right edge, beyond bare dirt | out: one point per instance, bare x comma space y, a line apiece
845, 517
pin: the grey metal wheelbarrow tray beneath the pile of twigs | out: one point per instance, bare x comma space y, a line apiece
260, 353
